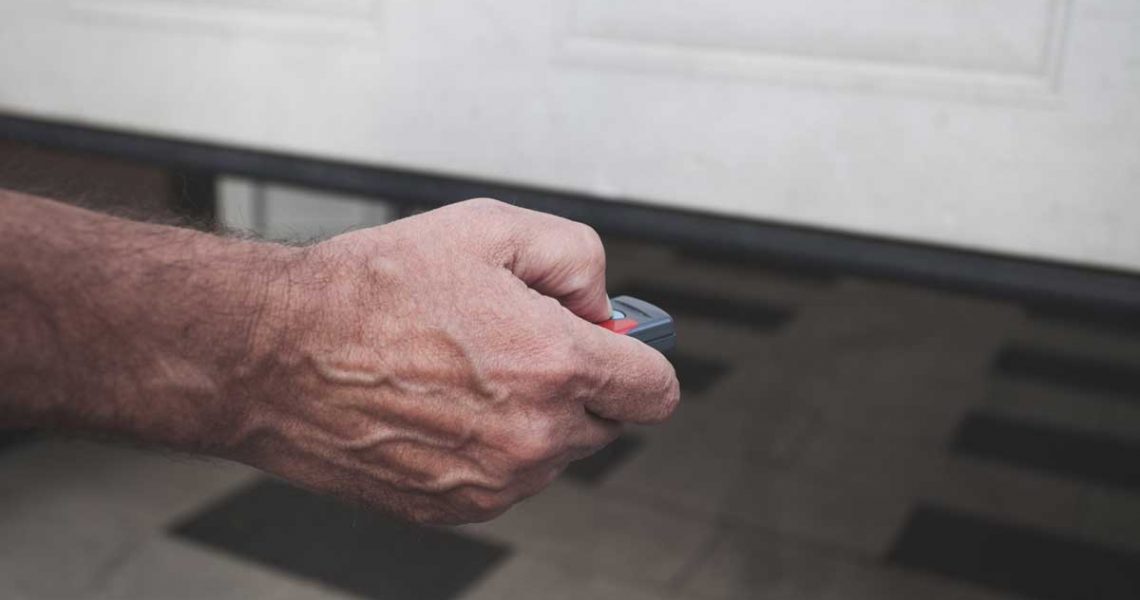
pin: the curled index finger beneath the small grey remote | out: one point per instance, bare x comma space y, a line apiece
632, 382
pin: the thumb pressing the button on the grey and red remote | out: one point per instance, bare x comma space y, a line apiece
559, 258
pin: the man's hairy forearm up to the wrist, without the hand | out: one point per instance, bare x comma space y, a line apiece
127, 328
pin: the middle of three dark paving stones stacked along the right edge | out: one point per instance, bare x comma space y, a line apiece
1079, 456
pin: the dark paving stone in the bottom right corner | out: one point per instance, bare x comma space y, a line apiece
1025, 562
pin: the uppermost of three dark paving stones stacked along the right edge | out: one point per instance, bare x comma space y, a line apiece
1070, 371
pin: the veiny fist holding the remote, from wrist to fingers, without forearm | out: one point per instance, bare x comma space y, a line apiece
445, 367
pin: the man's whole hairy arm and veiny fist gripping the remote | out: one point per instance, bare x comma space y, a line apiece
442, 368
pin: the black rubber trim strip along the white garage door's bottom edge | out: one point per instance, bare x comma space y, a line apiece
937, 266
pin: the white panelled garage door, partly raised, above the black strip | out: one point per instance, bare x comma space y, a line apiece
1009, 126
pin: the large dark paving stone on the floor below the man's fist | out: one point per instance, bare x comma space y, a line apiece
352, 549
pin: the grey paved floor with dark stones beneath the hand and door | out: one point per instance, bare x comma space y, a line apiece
838, 439
